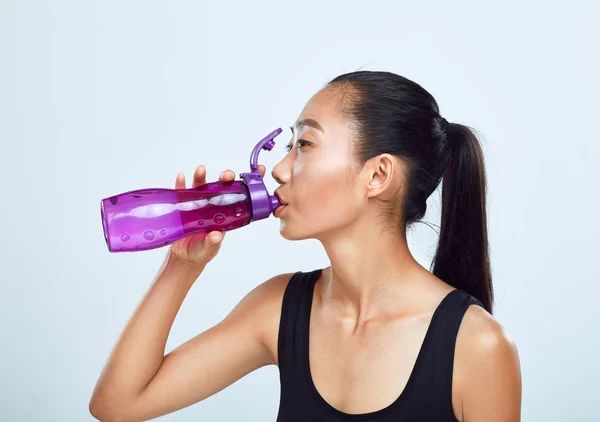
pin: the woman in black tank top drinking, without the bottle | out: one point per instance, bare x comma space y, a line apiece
374, 336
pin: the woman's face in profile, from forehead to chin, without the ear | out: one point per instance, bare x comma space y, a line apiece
320, 180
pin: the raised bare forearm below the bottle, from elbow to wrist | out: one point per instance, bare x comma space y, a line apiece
139, 352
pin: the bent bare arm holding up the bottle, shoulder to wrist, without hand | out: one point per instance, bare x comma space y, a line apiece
140, 383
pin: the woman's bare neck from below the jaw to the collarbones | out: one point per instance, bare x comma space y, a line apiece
372, 273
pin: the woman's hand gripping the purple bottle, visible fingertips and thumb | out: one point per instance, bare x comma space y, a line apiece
201, 248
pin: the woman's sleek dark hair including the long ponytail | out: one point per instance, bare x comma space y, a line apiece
391, 114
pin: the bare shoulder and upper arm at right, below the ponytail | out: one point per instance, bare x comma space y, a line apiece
487, 374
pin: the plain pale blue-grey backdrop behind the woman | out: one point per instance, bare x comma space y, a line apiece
105, 96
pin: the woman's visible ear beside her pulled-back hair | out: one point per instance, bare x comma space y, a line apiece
382, 175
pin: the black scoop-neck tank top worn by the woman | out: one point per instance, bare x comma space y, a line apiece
428, 393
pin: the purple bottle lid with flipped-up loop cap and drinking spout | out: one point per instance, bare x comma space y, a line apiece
263, 204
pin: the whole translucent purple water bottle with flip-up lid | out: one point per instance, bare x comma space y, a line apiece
151, 218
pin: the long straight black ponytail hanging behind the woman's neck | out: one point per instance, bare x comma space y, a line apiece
462, 256
